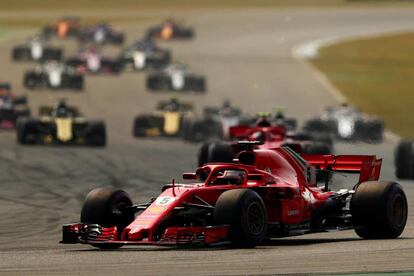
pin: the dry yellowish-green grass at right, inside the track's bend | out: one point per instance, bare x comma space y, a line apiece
377, 75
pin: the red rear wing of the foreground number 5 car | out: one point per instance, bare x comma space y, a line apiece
368, 166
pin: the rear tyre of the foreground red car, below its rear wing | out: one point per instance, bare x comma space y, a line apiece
379, 210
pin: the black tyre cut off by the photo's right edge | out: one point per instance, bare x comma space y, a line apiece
404, 160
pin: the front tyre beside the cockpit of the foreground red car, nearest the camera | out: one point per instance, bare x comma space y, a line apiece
245, 213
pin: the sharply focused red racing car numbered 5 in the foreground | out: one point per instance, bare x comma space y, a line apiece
266, 193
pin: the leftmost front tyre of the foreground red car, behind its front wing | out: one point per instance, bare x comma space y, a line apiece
108, 208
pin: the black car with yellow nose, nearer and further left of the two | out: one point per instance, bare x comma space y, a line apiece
60, 125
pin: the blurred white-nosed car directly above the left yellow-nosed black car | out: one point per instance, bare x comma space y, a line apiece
53, 75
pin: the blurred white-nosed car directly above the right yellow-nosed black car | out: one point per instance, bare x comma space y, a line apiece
175, 77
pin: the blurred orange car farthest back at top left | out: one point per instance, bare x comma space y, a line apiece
67, 26
